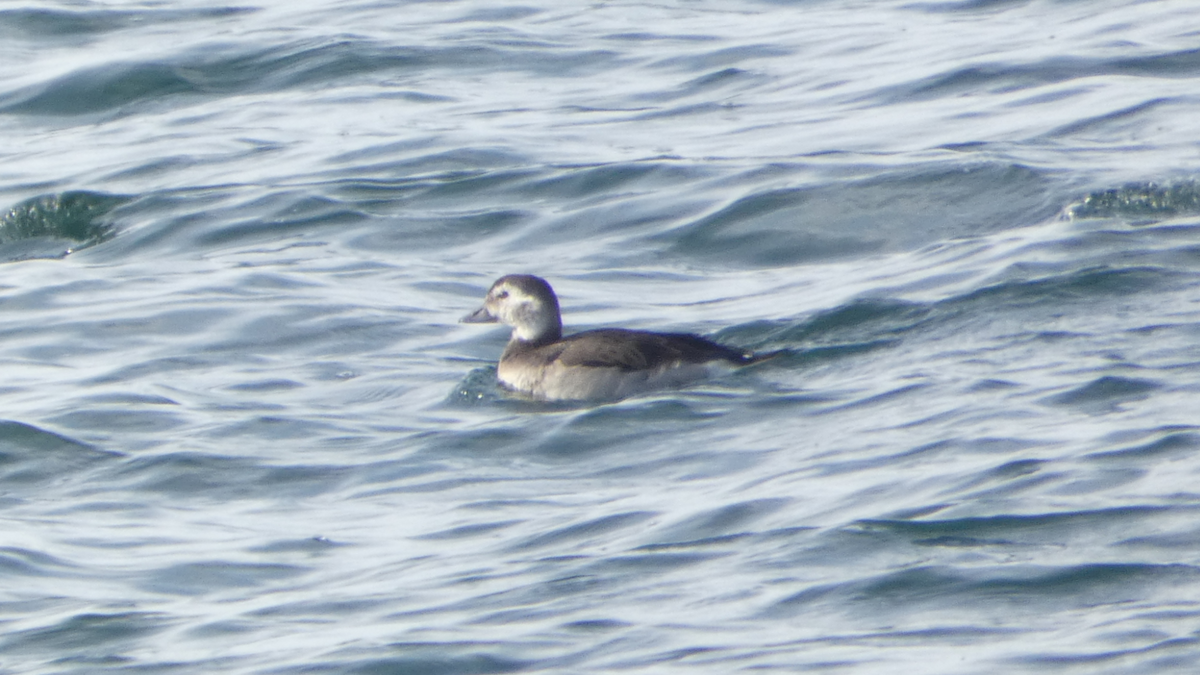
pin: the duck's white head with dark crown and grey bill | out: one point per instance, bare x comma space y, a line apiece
526, 303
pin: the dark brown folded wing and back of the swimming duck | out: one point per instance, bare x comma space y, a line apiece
639, 350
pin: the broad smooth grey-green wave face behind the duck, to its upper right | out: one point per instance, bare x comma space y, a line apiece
895, 212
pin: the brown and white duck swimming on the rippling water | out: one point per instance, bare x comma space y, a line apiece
605, 365
